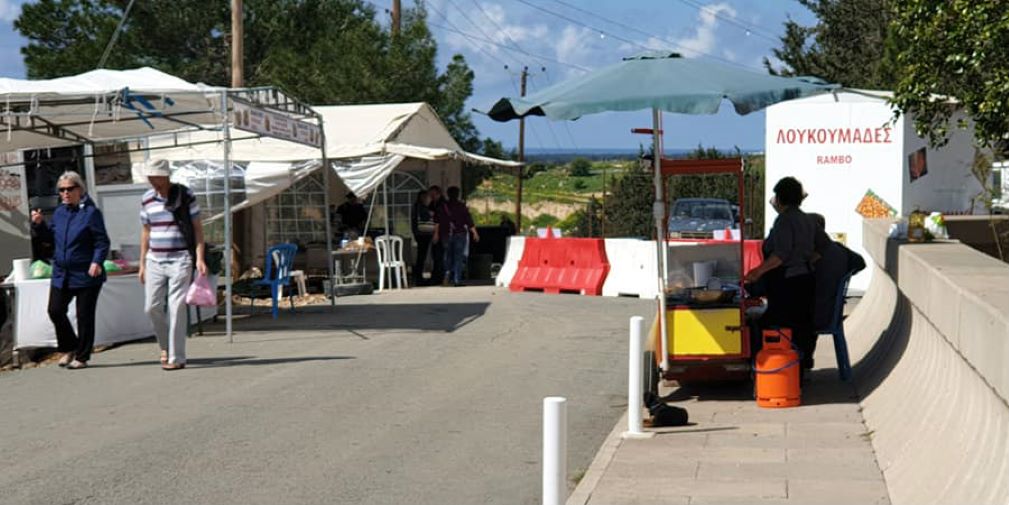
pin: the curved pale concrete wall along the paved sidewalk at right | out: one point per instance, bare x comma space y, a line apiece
931, 346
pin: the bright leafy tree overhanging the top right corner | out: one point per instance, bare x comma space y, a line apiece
959, 50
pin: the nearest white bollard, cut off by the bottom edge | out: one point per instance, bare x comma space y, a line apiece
554, 451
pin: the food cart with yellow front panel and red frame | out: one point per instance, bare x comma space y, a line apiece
707, 333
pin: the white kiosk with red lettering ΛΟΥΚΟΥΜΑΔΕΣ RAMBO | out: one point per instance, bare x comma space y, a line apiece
852, 156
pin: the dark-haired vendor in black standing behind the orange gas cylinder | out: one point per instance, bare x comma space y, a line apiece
787, 271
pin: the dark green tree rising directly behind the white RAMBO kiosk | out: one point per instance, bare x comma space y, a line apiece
852, 45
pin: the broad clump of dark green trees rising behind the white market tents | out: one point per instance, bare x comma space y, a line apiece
323, 52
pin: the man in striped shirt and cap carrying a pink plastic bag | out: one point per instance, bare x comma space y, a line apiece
171, 243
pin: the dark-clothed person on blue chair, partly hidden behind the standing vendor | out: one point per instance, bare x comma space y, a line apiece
832, 263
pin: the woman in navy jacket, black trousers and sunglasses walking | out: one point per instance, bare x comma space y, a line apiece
78, 231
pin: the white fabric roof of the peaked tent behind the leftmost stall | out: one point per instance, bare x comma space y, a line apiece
364, 143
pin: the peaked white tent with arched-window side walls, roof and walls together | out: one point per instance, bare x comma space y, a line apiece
386, 152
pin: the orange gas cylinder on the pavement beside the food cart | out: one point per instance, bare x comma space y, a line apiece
777, 371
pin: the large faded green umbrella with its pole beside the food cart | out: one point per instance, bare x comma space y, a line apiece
660, 82
